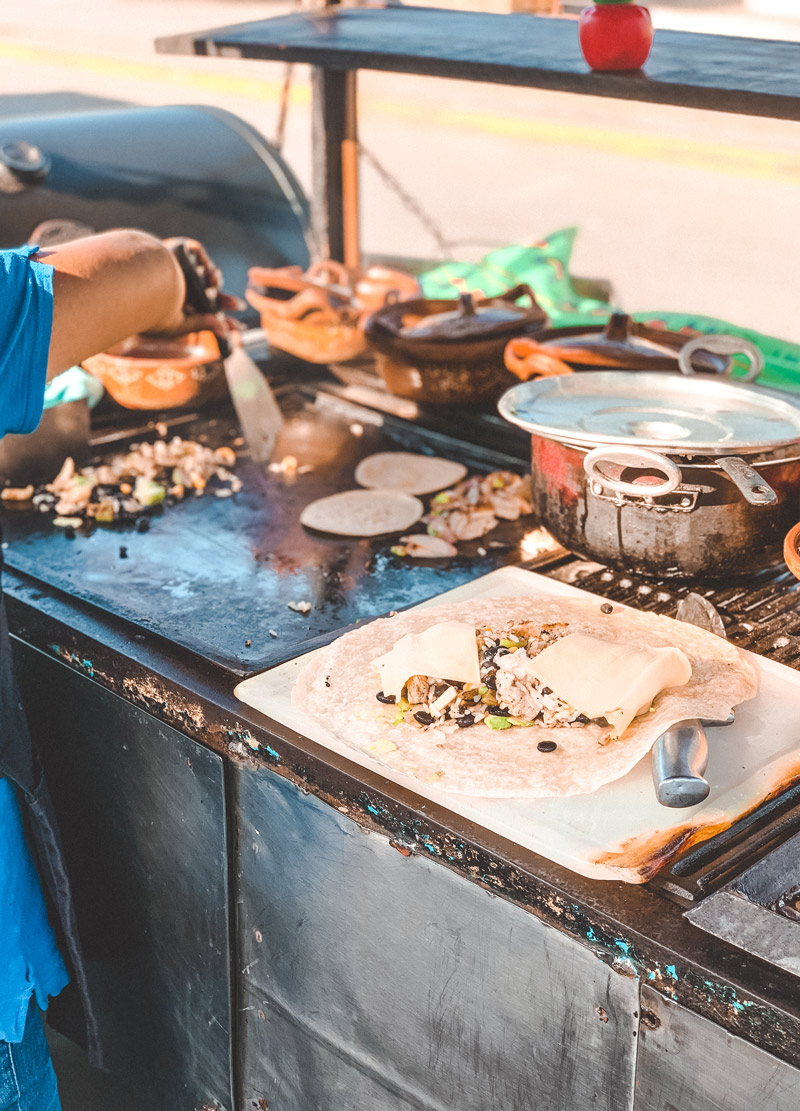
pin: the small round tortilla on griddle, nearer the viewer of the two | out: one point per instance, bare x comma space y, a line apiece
363, 513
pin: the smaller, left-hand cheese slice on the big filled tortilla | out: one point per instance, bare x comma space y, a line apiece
448, 650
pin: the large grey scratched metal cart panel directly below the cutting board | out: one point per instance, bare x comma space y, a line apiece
377, 980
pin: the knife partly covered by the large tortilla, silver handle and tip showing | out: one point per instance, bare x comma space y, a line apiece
681, 755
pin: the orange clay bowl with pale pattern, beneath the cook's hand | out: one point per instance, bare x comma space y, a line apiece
149, 373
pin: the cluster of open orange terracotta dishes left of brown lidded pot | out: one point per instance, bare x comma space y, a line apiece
319, 315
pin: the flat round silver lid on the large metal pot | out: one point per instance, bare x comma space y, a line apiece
673, 414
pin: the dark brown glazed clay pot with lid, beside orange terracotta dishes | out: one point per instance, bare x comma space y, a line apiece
451, 353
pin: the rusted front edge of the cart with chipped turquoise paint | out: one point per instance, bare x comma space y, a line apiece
751, 1000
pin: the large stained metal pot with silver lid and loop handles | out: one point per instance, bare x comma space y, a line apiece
662, 475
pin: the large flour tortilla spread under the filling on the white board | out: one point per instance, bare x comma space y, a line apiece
484, 764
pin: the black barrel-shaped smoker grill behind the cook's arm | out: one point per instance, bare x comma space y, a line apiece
173, 172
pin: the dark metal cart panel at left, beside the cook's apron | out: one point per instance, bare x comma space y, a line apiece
144, 822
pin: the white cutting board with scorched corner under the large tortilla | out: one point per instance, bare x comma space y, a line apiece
621, 833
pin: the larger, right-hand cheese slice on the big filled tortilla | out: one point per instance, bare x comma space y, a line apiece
605, 679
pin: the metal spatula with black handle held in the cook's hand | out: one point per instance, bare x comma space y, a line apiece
257, 411
